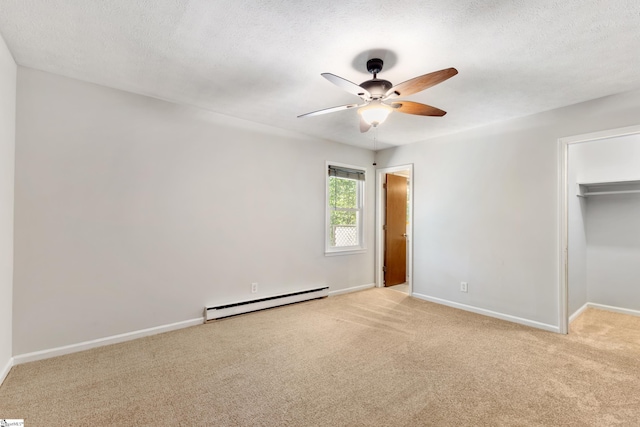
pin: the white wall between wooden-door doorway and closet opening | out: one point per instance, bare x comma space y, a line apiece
486, 208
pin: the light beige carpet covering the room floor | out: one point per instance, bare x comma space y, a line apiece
372, 358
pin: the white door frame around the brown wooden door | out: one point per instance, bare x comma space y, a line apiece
380, 215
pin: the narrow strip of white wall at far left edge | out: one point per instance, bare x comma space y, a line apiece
7, 158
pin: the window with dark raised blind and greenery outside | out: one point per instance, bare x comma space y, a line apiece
345, 214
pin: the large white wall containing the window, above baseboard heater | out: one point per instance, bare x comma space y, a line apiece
133, 212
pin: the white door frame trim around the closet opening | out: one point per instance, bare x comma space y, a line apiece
563, 229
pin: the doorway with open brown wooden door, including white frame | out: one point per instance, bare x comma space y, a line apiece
394, 229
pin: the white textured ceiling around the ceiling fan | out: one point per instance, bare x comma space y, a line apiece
261, 60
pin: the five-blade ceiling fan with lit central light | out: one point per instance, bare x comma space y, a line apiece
379, 95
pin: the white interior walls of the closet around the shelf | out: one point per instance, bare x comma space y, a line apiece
611, 224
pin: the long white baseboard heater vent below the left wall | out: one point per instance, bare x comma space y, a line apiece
212, 313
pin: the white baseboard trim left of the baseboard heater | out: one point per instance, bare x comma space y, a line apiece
74, 348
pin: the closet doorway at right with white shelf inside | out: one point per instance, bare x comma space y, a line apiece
598, 182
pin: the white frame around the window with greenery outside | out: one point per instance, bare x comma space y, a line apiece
360, 197
